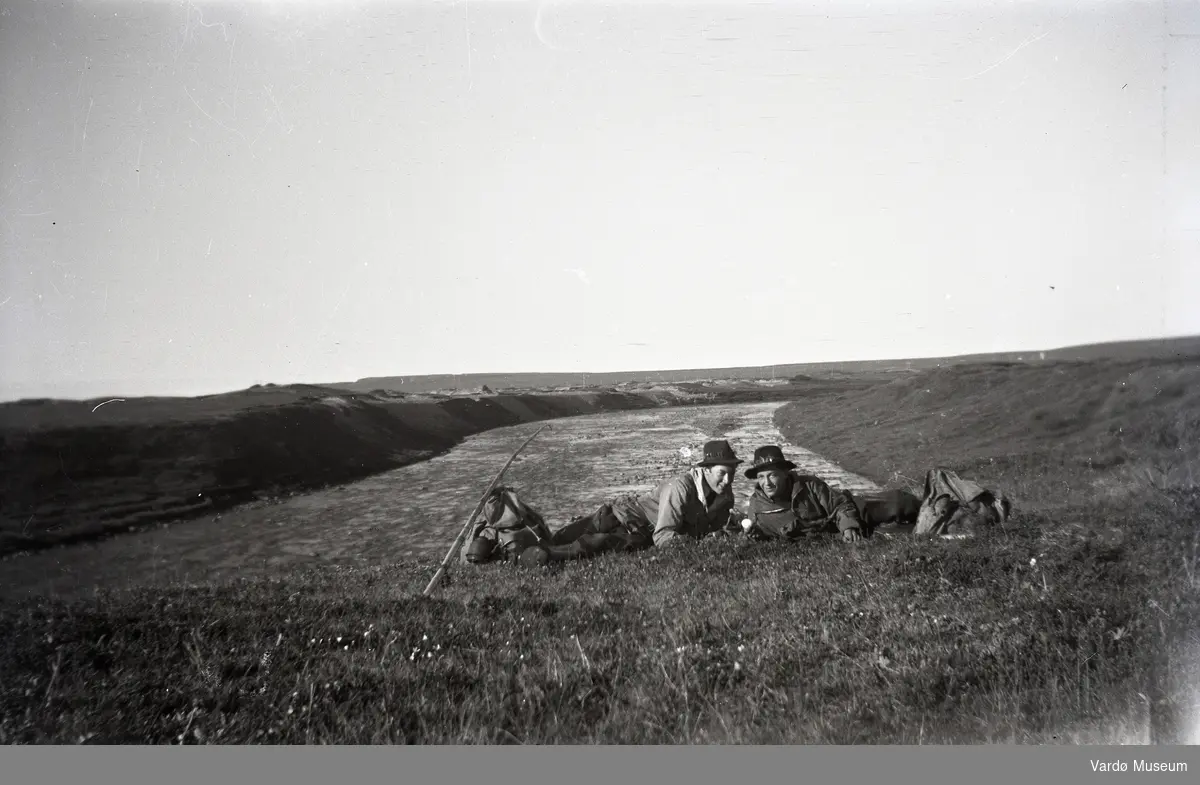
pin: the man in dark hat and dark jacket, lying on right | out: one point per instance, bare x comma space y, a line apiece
789, 506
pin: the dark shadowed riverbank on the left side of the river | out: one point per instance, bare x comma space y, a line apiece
77, 471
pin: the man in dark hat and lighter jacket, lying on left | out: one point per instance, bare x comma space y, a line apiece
695, 505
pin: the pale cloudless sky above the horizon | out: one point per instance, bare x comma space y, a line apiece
197, 197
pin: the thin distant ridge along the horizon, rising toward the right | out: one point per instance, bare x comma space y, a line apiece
1142, 350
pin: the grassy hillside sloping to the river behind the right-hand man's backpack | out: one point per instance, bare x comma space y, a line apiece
1058, 435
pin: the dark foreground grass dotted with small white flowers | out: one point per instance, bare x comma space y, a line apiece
1024, 636
